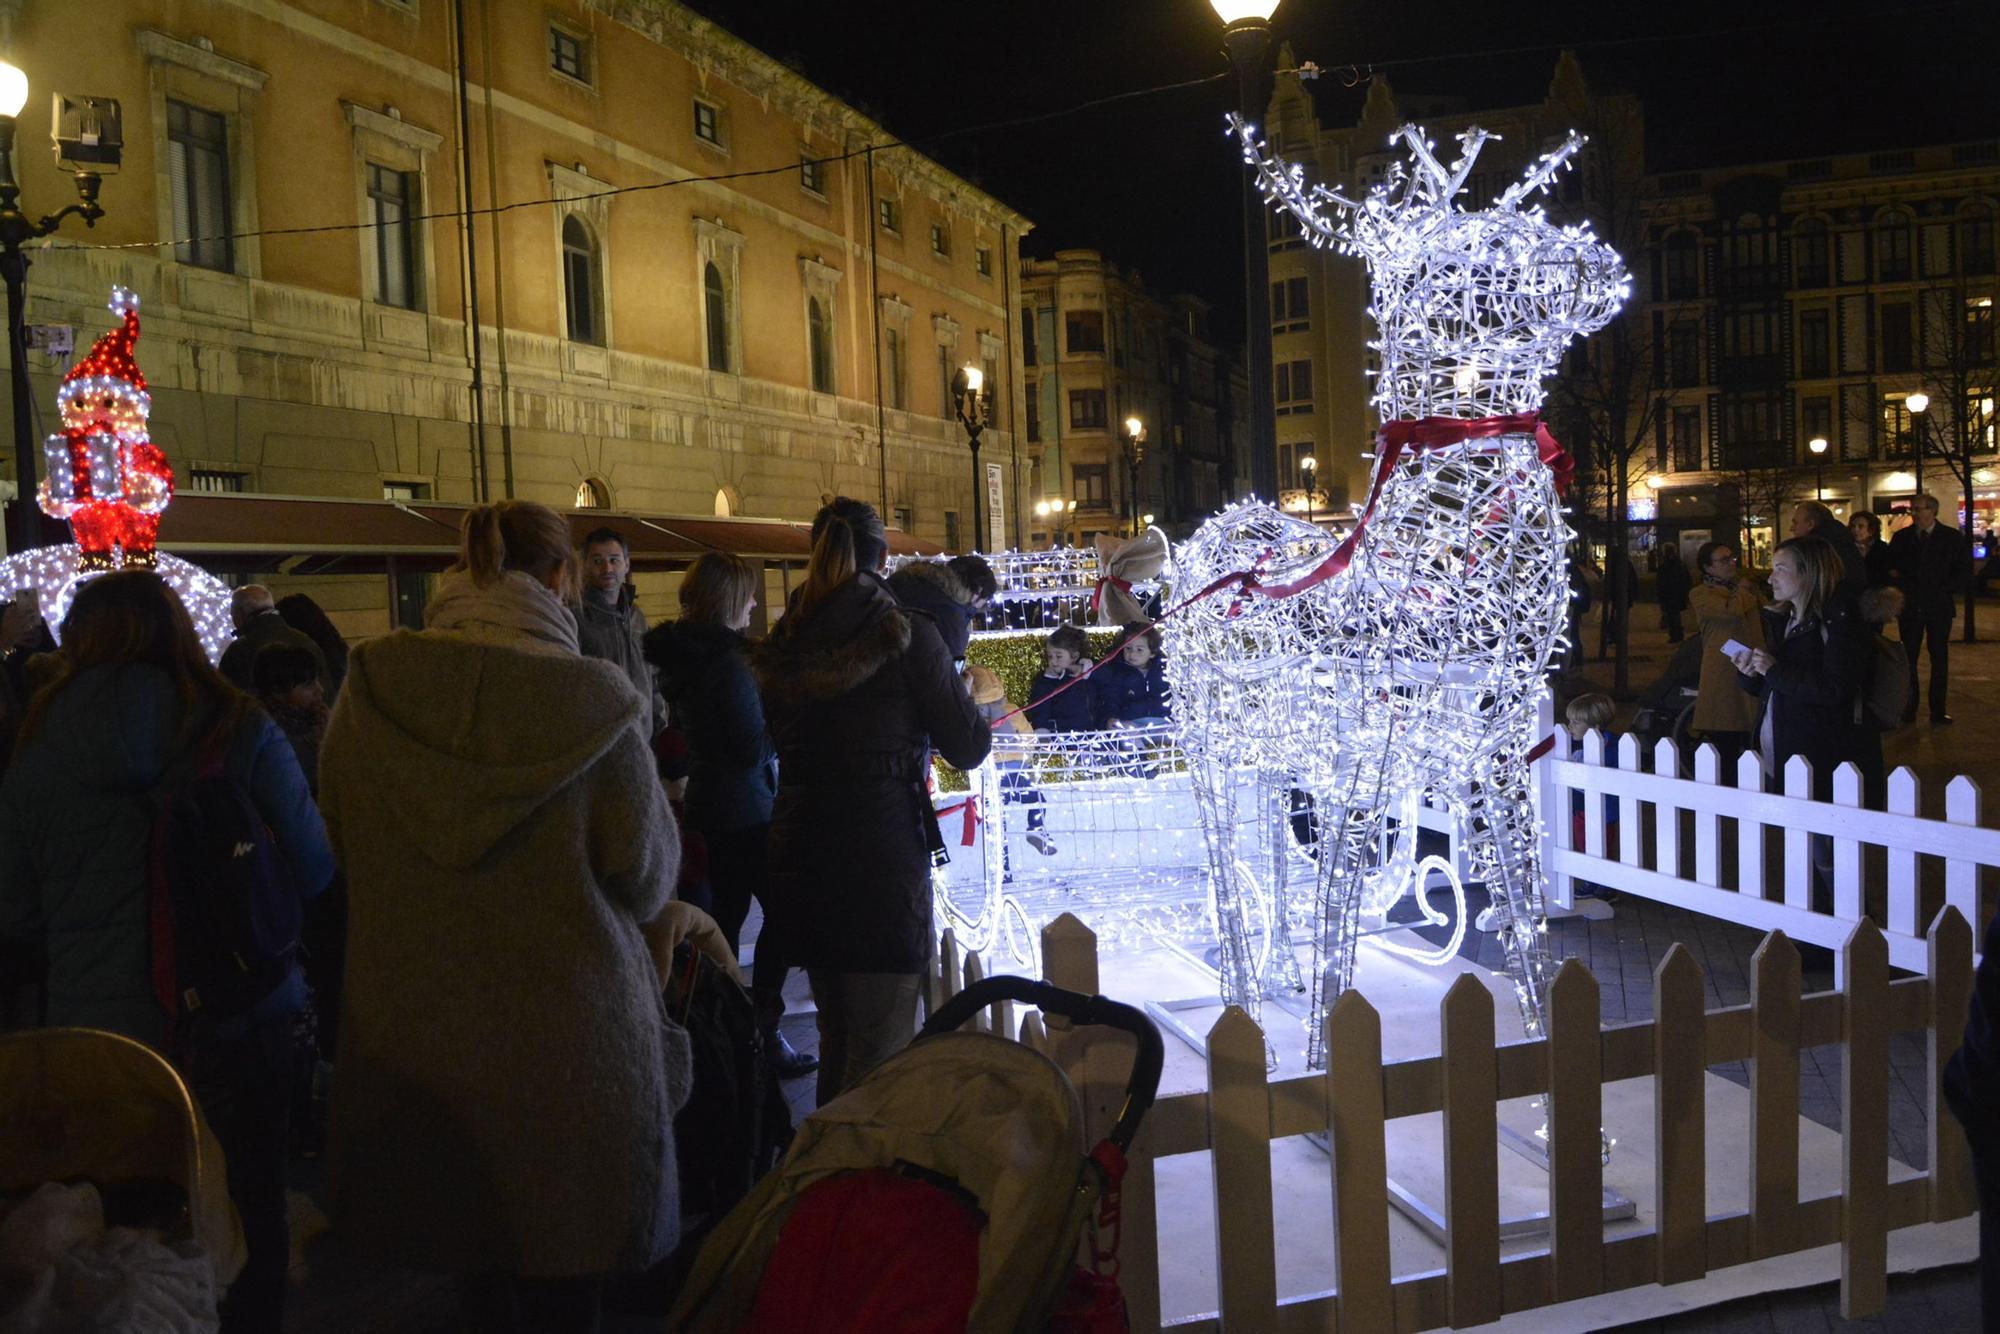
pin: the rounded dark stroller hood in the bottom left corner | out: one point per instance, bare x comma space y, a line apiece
93, 1107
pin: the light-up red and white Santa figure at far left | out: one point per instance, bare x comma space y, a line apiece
105, 475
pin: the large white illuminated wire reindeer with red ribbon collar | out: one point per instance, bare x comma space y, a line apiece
1425, 641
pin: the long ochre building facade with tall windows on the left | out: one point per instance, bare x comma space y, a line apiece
697, 289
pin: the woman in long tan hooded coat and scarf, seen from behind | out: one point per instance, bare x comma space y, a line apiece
509, 1075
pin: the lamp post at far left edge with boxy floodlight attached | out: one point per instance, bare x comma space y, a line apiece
89, 143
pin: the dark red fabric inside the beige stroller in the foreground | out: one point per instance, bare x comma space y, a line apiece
867, 1253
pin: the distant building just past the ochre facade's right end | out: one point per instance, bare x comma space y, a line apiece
1097, 349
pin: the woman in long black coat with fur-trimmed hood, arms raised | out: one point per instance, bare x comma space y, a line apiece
857, 693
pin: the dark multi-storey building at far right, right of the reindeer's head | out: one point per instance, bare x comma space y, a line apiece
1813, 299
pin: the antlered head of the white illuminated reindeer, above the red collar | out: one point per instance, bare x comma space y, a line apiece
1475, 307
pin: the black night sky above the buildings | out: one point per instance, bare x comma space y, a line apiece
1153, 183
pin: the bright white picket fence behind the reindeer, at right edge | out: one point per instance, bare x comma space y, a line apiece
1671, 843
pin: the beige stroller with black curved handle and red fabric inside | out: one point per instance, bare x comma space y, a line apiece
947, 1191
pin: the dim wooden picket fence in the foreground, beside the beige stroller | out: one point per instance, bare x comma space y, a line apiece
1243, 1111
